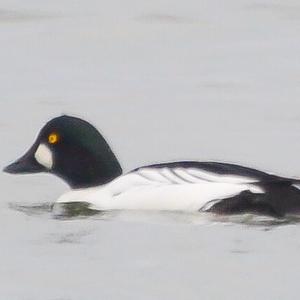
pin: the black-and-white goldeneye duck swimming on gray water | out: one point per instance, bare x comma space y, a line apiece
74, 150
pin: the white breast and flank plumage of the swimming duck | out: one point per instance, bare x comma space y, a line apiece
176, 189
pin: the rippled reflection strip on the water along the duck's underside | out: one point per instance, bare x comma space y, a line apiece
80, 210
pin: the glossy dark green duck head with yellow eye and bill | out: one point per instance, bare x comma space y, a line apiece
72, 149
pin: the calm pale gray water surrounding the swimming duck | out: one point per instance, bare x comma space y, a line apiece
162, 80
